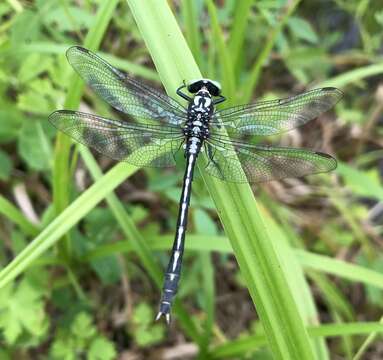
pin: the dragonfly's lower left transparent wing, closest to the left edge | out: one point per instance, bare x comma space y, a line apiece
140, 145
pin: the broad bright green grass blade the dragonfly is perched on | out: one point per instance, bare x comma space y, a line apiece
236, 206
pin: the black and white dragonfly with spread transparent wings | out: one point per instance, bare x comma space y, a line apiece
156, 127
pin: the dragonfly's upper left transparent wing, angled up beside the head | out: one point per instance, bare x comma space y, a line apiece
122, 92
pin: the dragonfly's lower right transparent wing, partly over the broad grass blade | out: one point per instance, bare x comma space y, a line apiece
239, 162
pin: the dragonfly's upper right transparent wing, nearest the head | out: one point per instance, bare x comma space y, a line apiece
276, 116
